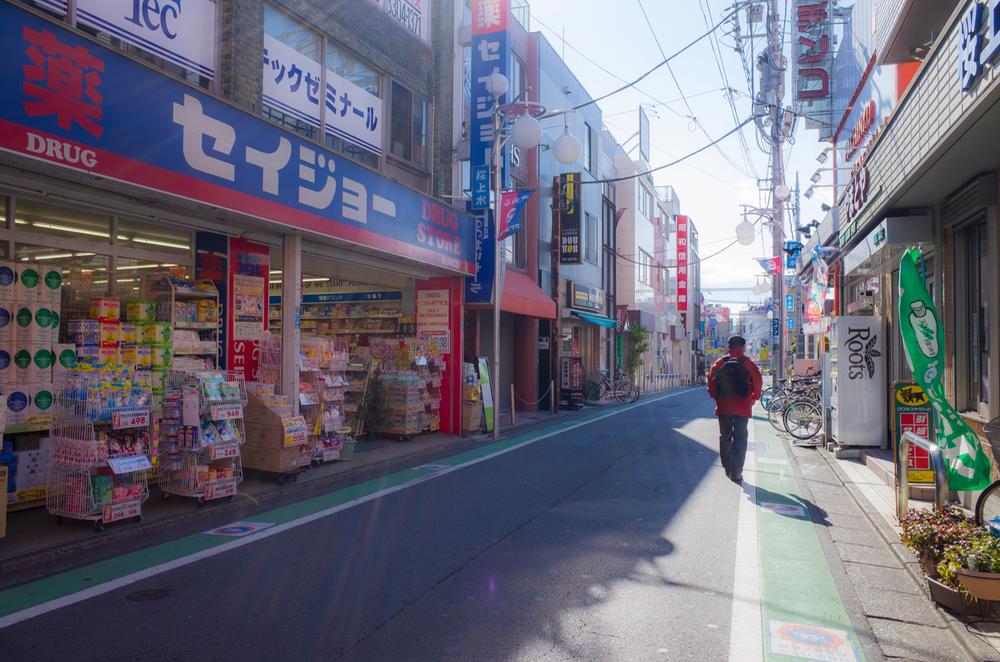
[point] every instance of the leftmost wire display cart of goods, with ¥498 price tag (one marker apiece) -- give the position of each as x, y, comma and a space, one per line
102, 438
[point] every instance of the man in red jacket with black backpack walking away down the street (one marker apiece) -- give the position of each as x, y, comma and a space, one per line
735, 383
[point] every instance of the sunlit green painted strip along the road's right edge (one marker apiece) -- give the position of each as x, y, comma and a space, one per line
803, 615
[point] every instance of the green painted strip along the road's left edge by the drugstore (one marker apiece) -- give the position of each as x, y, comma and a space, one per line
88, 580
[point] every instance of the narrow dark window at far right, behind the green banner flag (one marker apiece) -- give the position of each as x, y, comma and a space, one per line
974, 241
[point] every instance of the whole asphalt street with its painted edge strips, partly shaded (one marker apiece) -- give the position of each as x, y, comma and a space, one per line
613, 538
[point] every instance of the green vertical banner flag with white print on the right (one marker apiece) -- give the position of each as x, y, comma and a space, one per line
923, 341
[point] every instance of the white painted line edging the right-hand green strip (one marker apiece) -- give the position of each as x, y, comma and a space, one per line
746, 639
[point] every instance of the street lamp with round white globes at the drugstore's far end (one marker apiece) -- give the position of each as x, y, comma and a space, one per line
524, 130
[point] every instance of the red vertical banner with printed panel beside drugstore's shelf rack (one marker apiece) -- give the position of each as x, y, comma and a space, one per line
249, 266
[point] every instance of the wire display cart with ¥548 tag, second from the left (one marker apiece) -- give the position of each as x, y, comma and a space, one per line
201, 432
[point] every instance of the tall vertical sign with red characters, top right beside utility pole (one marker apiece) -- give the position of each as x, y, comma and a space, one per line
812, 63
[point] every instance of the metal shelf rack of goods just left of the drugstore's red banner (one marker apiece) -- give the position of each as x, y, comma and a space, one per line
191, 309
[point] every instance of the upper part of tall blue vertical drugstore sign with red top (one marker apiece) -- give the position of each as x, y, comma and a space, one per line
490, 53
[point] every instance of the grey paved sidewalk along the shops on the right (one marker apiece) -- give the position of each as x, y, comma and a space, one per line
887, 595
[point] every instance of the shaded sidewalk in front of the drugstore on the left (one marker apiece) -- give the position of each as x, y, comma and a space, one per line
34, 540
